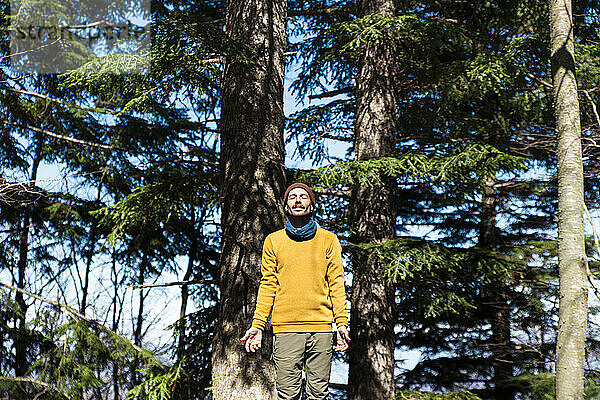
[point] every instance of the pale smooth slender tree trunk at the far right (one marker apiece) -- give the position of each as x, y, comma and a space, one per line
572, 316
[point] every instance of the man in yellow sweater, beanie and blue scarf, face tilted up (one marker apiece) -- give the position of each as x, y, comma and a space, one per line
303, 283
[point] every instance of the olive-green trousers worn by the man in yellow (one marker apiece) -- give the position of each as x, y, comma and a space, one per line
294, 351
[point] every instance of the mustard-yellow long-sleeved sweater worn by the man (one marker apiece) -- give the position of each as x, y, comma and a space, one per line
302, 282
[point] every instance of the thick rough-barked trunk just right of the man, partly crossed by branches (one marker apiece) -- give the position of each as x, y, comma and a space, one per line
371, 363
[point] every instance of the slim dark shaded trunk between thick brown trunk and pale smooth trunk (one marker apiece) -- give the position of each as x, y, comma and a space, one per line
500, 318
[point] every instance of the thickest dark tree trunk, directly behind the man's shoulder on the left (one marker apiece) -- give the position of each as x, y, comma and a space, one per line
252, 173
